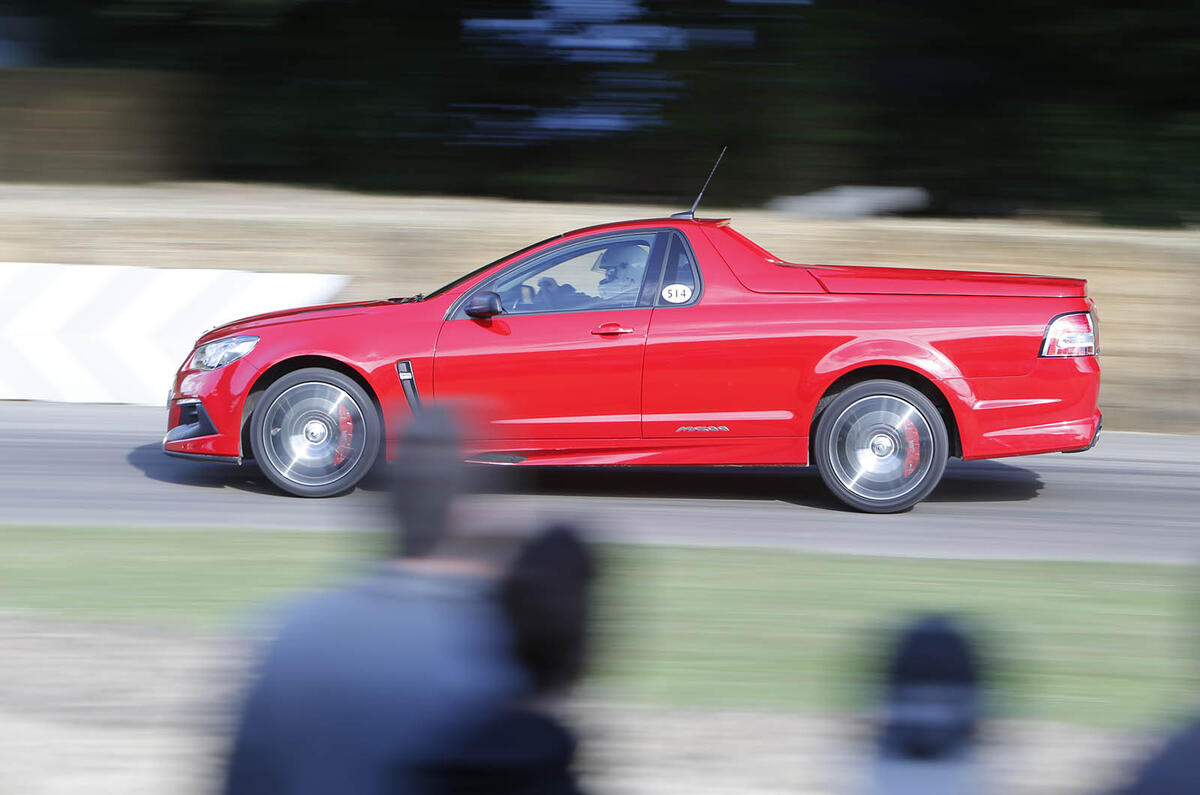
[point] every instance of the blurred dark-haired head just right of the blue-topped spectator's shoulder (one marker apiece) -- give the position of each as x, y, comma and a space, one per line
545, 596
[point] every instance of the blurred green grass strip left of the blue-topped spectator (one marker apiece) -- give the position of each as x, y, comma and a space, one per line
191, 579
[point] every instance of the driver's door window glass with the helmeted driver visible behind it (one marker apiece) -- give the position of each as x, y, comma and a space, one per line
592, 276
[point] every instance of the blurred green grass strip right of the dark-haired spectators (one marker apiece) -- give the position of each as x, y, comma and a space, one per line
1101, 644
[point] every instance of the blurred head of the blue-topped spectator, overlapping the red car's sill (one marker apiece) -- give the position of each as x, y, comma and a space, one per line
427, 480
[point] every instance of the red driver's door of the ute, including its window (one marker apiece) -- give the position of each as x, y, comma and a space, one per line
565, 358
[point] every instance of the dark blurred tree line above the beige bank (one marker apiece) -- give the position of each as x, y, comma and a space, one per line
1065, 110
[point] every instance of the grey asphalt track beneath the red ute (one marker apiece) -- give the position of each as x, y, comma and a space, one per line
1135, 498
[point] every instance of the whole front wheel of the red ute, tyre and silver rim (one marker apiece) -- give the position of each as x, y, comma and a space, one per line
316, 433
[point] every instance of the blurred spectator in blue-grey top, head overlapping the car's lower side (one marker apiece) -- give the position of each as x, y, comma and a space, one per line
367, 684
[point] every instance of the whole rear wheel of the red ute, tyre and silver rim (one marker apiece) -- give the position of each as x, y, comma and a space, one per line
881, 447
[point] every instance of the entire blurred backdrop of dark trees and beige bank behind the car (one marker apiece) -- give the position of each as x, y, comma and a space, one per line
403, 145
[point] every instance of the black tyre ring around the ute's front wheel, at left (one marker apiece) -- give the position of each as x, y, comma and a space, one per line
370, 416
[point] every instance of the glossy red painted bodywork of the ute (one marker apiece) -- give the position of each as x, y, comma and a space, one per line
752, 358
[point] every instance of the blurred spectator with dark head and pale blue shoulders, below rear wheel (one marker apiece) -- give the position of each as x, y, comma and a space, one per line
933, 703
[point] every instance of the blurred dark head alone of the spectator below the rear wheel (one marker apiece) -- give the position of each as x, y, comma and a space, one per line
933, 691
